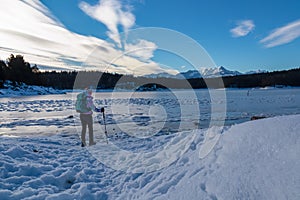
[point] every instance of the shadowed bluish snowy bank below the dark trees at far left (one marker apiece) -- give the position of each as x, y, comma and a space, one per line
22, 89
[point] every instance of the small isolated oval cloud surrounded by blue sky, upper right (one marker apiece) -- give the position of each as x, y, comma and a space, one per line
242, 28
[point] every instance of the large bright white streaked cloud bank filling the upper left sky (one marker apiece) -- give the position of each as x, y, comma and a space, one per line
43, 40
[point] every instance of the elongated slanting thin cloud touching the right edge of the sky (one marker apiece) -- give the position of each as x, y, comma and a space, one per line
282, 35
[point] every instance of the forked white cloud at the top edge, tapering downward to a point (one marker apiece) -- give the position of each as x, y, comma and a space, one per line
111, 13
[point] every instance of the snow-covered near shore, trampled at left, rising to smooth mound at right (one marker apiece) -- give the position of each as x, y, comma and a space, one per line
253, 160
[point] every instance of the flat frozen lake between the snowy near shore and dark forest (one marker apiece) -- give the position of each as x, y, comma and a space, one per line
147, 113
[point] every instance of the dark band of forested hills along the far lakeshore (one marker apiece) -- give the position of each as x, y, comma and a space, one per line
16, 69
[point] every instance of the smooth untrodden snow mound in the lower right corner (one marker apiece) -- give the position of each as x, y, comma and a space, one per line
258, 160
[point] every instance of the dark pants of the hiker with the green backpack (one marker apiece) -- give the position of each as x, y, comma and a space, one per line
87, 121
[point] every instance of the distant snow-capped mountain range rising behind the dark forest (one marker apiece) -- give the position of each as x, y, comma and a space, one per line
202, 72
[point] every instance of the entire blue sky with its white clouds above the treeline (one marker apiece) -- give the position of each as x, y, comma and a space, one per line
239, 35
